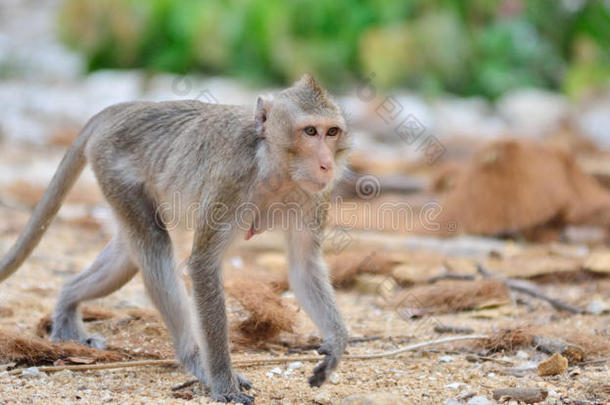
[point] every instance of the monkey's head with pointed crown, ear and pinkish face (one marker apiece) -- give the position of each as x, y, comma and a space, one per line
306, 131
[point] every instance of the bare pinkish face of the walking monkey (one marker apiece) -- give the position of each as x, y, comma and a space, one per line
316, 142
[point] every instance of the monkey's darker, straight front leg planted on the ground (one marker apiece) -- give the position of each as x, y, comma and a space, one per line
206, 275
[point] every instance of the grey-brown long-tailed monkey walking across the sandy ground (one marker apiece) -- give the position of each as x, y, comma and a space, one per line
222, 158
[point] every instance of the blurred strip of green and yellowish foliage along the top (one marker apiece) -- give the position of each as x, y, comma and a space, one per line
476, 47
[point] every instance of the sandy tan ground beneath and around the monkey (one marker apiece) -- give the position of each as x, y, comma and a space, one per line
428, 376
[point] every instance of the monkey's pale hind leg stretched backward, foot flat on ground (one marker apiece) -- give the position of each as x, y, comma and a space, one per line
109, 272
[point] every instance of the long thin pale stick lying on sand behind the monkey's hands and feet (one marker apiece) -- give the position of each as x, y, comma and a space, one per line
254, 362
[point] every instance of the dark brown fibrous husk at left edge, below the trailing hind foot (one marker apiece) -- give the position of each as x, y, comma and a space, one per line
32, 350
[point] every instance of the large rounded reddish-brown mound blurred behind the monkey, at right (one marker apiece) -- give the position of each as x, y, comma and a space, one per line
511, 186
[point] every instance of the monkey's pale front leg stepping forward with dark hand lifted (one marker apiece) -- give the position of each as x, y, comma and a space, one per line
310, 282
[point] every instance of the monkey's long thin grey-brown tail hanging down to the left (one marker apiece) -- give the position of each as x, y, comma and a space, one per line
64, 178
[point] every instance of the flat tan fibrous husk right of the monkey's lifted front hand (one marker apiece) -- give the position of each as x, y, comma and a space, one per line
451, 296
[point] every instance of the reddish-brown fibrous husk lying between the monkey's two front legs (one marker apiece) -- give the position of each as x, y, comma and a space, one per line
268, 314
